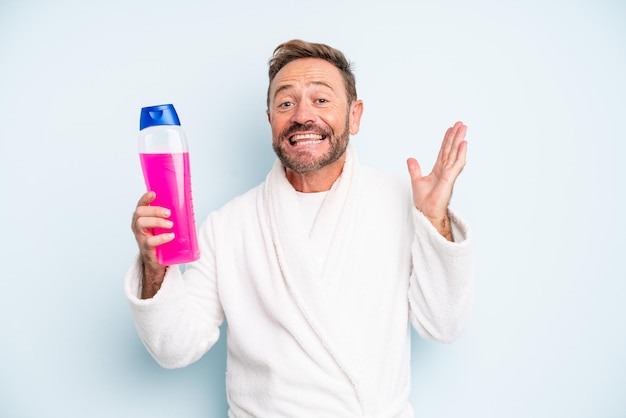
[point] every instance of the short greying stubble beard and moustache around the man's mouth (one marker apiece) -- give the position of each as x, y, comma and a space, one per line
303, 161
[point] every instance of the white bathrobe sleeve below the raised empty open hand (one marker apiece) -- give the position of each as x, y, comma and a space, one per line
441, 288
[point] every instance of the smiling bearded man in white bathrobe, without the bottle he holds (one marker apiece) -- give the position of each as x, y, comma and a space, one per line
320, 269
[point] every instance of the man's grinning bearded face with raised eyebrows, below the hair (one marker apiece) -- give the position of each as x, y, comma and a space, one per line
309, 114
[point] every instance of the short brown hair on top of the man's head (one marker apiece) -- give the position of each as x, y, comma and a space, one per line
296, 49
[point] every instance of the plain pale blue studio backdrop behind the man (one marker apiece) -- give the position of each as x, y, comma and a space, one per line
540, 85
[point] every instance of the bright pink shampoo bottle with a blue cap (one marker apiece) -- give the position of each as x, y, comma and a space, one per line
164, 159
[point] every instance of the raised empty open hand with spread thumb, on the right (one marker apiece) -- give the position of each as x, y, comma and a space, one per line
432, 193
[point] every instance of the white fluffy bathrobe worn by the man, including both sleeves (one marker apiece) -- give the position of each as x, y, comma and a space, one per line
317, 321
